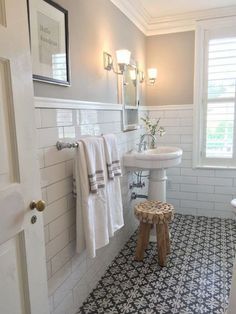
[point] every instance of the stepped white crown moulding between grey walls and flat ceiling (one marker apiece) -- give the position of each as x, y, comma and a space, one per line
169, 24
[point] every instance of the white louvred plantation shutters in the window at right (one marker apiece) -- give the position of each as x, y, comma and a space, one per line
219, 97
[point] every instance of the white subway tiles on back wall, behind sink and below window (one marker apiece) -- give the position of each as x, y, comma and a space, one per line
205, 192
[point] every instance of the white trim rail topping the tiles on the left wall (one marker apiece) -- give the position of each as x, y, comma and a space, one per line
55, 103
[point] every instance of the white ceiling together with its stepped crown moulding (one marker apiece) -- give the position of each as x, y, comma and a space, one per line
154, 17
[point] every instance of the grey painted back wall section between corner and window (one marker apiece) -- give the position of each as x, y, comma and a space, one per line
173, 56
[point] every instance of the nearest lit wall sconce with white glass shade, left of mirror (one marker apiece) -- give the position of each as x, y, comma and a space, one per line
122, 57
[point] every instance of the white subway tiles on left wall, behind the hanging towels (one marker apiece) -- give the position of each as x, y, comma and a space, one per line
71, 277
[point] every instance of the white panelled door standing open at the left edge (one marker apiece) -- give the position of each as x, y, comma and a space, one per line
23, 285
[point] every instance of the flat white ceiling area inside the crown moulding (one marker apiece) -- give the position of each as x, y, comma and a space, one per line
162, 8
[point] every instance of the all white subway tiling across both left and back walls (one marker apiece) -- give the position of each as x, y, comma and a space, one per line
71, 277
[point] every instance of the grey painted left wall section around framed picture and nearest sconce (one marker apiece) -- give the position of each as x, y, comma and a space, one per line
95, 26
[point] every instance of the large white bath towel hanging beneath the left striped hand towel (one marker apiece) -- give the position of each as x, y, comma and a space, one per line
91, 208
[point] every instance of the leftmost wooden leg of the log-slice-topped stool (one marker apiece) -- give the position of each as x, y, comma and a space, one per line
143, 239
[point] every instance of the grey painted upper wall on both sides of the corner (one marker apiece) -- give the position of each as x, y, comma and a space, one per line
96, 26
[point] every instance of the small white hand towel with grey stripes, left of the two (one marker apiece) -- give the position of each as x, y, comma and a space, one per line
94, 152
